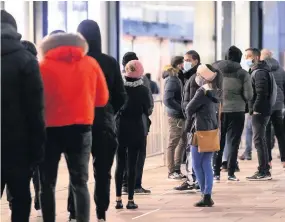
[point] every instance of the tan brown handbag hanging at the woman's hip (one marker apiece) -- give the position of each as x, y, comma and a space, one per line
208, 141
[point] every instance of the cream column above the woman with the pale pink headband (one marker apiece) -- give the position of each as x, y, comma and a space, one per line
204, 30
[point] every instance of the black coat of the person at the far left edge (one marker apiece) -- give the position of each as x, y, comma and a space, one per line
23, 127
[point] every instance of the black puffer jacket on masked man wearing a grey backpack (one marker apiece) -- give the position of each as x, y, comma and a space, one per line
260, 102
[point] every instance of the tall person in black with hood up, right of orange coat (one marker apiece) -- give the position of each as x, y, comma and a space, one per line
104, 144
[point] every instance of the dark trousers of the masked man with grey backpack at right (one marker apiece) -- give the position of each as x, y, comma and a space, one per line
259, 124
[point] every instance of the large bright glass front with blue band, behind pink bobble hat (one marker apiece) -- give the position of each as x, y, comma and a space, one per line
156, 31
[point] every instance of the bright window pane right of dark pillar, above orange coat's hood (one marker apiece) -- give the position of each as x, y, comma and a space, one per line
57, 13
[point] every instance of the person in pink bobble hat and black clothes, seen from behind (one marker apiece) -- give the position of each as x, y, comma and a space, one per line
131, 130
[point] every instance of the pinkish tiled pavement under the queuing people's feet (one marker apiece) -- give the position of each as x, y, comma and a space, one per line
236, 201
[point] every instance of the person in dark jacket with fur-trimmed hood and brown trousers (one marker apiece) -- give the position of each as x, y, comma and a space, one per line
172, 100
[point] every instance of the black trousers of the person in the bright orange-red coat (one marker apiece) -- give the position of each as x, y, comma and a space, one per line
75, 142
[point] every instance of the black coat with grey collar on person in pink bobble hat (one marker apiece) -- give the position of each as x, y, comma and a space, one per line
131, 124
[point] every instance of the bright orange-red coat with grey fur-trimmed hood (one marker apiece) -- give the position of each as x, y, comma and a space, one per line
73, 83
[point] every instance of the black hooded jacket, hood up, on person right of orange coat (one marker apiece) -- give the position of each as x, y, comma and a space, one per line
104, 118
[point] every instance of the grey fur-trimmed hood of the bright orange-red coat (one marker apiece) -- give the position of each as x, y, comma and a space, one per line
64, 46
